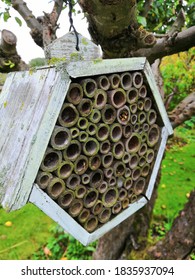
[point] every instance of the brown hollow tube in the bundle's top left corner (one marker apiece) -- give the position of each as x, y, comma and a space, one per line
75, 93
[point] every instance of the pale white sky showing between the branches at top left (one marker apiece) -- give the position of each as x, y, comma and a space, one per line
26, 47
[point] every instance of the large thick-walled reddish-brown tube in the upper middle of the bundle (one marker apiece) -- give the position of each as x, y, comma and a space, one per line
117, 97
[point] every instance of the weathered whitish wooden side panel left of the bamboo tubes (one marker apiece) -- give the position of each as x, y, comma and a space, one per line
29, 107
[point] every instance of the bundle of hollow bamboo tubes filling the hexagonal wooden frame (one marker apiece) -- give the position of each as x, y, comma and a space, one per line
103, 147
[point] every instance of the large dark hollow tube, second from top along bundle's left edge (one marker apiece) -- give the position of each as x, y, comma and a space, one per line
68, 116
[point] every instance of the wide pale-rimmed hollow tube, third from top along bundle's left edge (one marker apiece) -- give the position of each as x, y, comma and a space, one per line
60, 138
